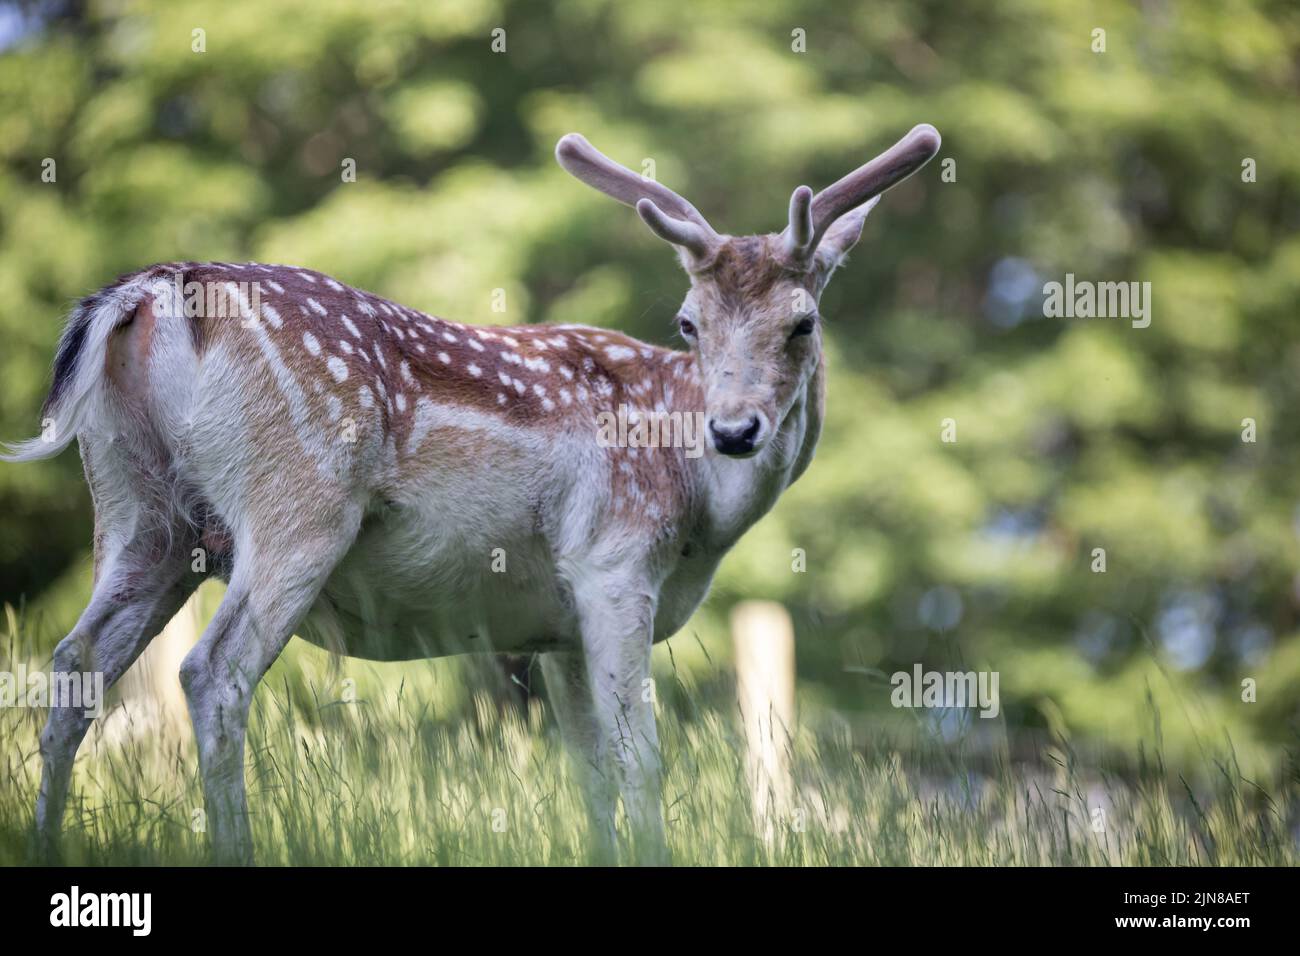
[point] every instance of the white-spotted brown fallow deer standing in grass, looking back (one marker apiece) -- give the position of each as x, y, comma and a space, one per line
353, 470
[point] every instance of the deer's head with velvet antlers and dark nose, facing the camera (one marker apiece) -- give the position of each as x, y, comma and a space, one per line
752, 313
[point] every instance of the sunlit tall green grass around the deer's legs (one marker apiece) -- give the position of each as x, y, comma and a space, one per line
400, 776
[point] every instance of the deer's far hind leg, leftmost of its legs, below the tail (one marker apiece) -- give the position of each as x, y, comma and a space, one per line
132, 603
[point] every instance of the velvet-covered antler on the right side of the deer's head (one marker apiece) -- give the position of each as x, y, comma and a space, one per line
812, 217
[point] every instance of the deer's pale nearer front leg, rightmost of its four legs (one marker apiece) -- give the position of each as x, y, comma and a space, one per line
617, 626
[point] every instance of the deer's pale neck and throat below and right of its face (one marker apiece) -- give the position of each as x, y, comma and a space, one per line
738, 492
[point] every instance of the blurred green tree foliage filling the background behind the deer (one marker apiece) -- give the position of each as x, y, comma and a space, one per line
1073, 435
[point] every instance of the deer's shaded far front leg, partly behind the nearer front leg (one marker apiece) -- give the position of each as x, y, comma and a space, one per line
570, 695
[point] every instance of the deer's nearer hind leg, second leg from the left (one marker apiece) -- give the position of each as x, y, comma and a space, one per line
278, 578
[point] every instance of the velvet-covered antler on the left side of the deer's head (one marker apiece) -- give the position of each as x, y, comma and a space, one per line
669, 215
